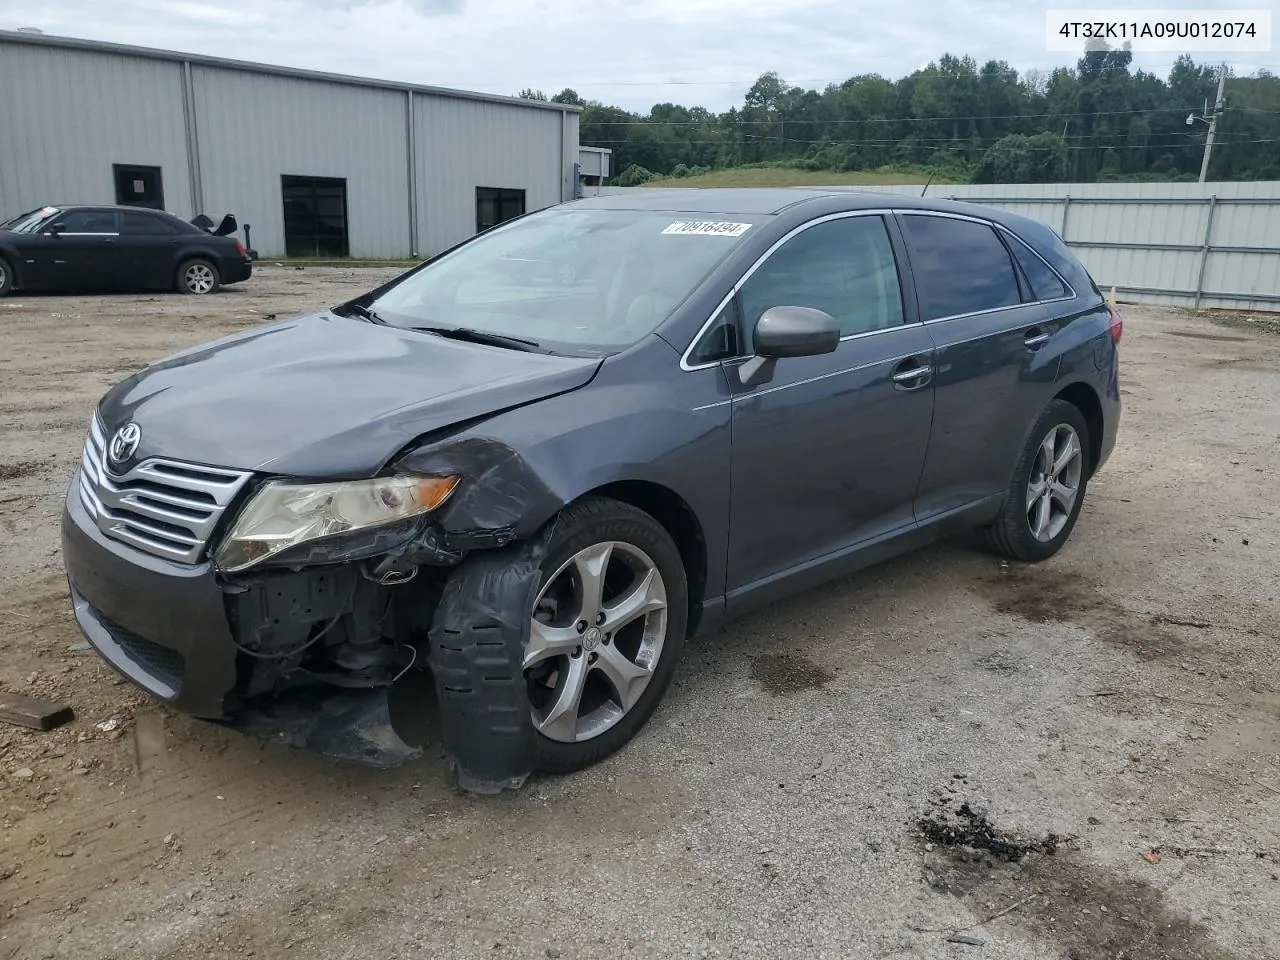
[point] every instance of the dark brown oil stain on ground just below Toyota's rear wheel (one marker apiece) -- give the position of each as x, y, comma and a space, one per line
1060, 597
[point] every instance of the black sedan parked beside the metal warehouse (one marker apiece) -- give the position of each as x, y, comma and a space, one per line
76, 249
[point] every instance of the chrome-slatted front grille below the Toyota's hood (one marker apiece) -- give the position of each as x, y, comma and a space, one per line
164, 508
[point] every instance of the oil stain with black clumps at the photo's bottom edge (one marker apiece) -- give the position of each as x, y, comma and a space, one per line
1044, 886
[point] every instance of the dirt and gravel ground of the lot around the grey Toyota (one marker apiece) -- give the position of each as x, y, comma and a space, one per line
1108, 723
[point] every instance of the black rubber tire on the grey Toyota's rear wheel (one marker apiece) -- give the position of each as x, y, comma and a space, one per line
1012, 536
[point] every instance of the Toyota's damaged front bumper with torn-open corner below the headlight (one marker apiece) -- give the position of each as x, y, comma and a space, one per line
189, 641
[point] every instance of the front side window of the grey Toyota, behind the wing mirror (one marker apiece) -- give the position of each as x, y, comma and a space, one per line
842, 267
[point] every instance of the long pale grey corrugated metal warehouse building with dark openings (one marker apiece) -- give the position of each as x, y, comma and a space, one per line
317, 164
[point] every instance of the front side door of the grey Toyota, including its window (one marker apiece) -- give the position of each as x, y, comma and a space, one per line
829, 454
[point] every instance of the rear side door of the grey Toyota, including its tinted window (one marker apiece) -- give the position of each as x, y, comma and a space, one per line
993, 373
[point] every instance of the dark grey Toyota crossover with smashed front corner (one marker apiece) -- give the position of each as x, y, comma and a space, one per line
537, 488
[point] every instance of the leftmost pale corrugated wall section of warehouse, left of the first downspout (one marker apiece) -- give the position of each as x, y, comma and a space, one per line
67, 116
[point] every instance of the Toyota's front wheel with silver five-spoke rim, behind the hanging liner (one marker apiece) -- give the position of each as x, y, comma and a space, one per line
606, 634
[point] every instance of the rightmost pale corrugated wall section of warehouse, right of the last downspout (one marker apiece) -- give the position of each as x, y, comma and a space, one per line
458, 152
